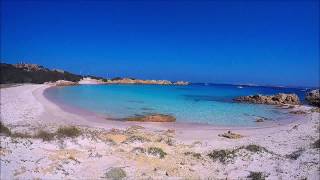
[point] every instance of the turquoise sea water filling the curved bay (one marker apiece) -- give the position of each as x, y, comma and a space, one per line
196, 103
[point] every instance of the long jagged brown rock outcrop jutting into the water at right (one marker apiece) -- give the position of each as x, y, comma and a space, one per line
277, 99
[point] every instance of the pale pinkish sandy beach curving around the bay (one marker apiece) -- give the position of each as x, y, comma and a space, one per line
285, 151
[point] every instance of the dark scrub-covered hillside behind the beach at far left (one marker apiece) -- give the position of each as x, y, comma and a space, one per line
32, 73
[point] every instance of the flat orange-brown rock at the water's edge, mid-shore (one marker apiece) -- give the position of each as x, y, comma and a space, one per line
152, 118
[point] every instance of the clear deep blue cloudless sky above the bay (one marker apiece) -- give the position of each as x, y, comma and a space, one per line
262, 42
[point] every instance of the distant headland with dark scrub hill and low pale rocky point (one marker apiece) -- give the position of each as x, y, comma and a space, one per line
33, 73
